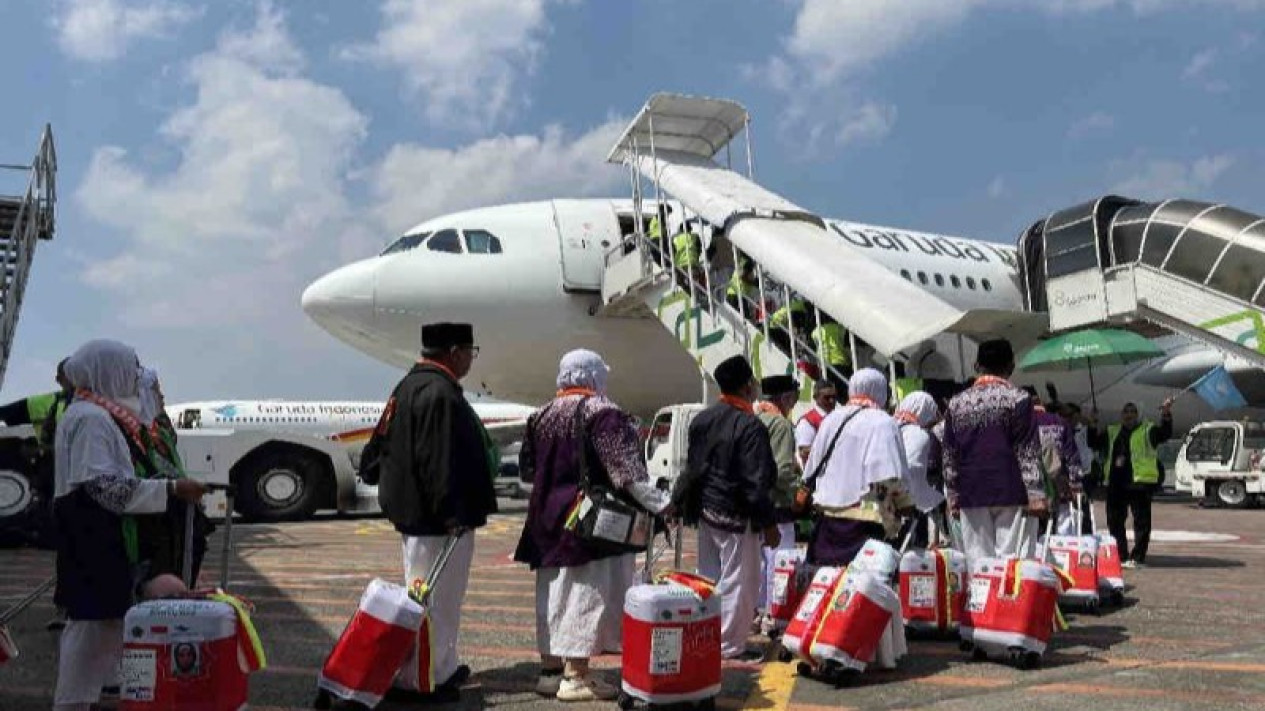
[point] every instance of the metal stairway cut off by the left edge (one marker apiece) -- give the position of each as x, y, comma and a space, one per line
26, 219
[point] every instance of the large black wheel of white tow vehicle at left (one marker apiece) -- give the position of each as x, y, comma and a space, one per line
280, 486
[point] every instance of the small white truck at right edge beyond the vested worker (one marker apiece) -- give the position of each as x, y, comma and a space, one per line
1223, 461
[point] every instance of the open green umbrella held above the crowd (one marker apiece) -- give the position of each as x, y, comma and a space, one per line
1085, 350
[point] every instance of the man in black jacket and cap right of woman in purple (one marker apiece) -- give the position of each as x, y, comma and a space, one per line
727, 492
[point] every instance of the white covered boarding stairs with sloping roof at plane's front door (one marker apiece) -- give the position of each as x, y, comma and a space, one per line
681, 147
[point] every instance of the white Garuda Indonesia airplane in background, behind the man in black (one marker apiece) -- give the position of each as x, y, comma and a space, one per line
349, 423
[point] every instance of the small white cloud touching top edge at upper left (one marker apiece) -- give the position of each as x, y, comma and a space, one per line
98, 31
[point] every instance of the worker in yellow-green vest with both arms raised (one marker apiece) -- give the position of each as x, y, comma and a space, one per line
1134, 473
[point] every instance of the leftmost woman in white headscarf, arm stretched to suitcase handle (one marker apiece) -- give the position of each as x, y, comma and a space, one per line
97, 499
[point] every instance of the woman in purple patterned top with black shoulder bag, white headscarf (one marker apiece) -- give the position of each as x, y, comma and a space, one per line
580, 591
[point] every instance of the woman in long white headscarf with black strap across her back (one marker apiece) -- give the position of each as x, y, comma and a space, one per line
857, 470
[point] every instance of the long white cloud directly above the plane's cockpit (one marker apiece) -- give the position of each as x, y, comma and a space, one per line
416, 183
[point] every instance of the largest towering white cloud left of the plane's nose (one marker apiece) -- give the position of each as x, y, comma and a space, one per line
259, 187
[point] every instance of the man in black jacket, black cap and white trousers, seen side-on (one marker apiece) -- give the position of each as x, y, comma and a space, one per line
436, 481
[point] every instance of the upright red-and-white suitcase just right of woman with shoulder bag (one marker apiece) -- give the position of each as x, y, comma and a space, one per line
672, 643
